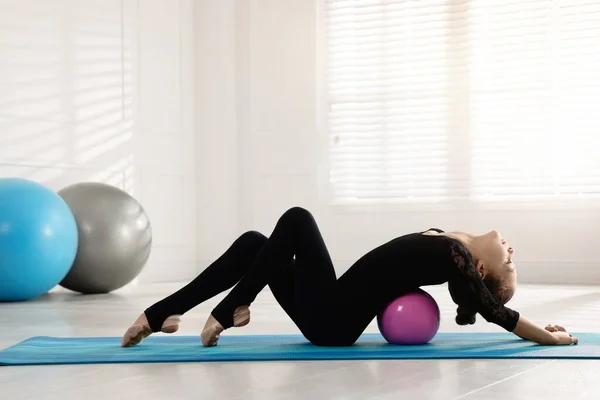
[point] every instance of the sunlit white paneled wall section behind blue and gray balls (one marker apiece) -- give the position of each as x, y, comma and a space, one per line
102, 90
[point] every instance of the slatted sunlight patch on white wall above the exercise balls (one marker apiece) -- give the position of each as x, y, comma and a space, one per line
66, 95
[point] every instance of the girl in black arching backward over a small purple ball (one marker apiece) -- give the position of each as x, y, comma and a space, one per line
296, 265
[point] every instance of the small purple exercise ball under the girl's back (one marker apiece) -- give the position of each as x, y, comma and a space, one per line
413, 318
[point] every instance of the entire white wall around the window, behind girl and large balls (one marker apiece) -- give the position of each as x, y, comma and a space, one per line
207, 112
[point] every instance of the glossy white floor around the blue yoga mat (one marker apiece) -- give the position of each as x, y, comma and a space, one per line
65, 314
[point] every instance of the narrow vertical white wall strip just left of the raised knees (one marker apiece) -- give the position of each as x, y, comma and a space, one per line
216, 127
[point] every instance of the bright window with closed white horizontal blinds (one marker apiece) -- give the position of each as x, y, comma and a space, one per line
432, 100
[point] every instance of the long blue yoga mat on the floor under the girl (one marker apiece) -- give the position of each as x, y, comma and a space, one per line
162, 349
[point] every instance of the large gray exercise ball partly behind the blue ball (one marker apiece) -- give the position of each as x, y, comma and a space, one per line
115, 238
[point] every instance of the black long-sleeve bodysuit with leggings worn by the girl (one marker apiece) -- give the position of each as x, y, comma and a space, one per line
296, 265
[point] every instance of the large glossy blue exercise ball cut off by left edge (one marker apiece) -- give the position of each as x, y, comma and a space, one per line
38, 239
